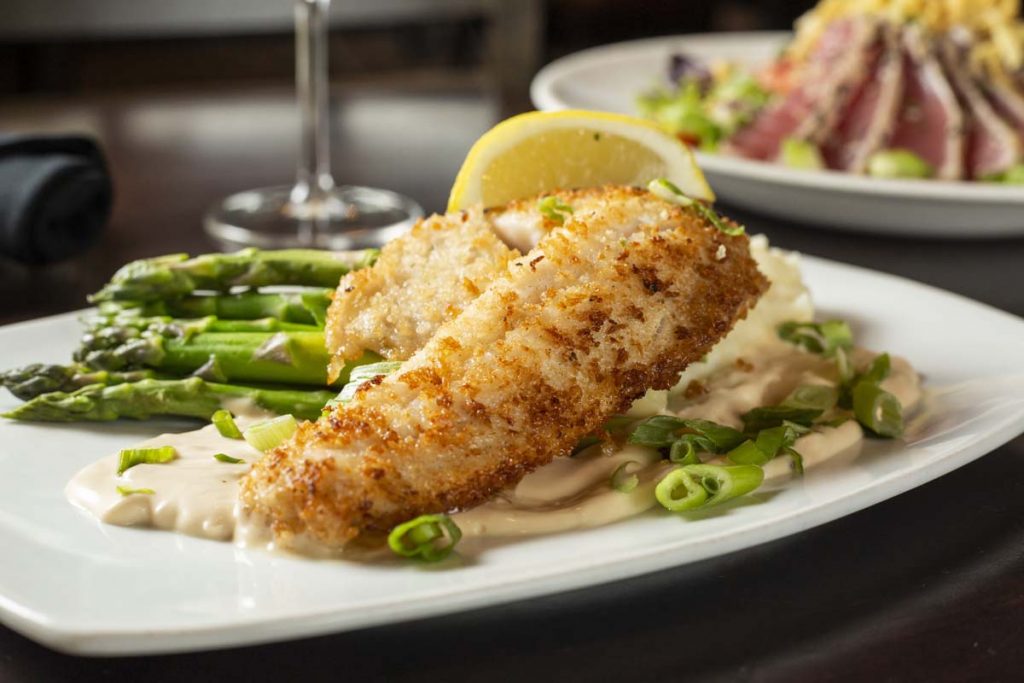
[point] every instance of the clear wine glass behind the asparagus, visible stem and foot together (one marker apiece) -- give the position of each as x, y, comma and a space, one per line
314, 212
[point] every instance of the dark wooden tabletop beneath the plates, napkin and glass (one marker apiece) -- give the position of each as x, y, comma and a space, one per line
926, 587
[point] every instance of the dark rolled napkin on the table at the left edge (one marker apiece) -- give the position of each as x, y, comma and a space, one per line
56, 196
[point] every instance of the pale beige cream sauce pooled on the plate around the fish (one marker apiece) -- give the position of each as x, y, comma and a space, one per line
196, 494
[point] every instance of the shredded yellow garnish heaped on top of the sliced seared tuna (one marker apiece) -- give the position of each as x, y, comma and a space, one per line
995, 25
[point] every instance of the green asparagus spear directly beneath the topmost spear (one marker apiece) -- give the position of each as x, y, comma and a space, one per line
309, 308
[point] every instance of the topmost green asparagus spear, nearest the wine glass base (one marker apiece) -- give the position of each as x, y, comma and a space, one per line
177, 275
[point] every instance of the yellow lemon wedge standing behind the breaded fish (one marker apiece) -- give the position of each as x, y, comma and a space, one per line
542, 151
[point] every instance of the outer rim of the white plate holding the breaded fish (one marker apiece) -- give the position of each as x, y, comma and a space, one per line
234, 632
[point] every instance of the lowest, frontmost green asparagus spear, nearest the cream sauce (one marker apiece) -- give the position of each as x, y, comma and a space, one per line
193, 398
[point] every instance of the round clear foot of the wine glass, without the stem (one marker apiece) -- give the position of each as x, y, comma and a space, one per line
348, 218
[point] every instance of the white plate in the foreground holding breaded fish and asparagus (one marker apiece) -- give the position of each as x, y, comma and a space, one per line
82, 587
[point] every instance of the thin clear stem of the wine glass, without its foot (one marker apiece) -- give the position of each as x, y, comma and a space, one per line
314, 179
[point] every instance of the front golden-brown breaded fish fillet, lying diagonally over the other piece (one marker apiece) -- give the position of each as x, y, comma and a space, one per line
619, 301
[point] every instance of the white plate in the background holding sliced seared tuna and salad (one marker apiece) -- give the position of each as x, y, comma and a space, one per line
610, 78
